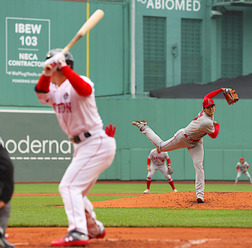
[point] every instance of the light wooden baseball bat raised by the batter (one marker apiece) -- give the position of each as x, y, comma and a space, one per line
88, 25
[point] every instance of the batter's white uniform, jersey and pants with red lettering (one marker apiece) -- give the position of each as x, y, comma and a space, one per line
76, 115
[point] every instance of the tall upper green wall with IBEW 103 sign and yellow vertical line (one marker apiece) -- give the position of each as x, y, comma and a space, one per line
32, 27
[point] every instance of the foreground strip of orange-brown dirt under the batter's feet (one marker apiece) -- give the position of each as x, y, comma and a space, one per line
142, 237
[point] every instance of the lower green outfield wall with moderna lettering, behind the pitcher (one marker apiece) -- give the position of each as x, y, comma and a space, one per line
41, 151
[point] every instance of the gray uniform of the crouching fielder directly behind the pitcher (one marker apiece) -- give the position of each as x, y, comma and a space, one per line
158, 162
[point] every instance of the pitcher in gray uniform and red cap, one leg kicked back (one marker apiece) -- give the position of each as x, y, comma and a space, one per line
191, 138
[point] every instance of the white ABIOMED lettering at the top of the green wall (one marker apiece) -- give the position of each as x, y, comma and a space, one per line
178, 5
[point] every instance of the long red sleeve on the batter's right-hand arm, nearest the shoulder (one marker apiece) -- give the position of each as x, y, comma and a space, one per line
82, 88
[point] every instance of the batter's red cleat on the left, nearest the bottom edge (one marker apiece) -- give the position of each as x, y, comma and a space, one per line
73, 238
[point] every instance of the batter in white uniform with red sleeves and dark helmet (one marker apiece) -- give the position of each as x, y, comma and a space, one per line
73, 100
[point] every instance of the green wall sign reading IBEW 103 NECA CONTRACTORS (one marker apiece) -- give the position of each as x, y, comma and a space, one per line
27, 40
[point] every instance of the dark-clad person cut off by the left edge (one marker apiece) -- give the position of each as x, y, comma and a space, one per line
6, 191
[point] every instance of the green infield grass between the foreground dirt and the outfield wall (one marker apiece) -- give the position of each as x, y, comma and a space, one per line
48, 210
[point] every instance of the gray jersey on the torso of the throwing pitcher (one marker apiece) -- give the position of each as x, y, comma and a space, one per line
200, 126
